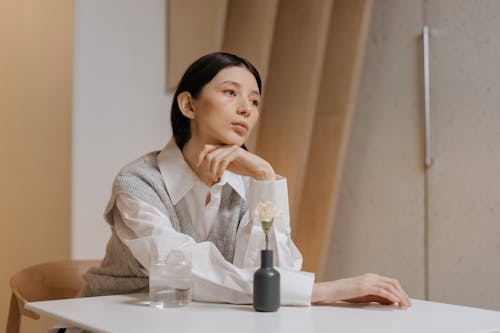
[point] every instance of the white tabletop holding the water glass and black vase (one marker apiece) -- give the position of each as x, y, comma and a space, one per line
131, 313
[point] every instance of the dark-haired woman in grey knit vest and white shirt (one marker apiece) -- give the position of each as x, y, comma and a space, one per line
196, 194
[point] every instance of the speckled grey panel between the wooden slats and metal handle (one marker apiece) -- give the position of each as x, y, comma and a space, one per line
380, 220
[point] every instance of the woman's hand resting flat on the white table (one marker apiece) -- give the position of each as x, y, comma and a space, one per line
365, 288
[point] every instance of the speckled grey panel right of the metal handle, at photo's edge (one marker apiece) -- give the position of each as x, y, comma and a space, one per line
464, 182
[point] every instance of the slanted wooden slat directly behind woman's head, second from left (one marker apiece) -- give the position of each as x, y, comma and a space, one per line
249, 33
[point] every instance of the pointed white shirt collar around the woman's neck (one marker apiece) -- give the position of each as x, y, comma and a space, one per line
179, 178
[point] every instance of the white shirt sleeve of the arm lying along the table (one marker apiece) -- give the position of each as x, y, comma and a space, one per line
149, 235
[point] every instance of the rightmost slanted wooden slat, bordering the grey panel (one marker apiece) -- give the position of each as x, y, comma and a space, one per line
336, 105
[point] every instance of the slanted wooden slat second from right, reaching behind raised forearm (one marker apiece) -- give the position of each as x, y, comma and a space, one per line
293, 81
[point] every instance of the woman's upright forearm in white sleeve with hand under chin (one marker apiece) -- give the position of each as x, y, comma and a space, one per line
264, 186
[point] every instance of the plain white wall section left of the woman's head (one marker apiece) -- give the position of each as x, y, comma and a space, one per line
120, 105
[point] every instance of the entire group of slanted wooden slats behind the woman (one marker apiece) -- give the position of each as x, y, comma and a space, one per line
312, 68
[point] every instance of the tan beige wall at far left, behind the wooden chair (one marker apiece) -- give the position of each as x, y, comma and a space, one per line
35, 138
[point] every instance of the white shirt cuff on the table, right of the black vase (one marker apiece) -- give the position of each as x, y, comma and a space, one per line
296, 287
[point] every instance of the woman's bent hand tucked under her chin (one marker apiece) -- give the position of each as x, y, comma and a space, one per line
218, 158
